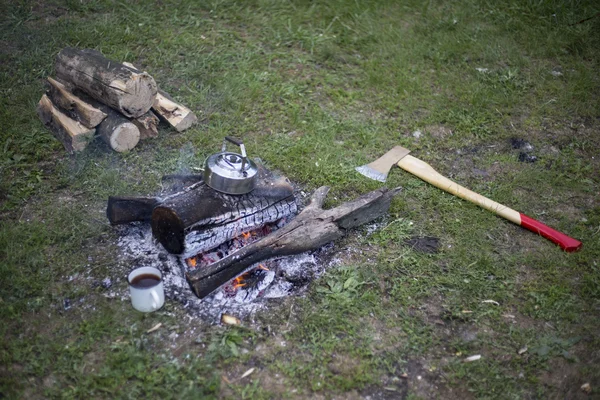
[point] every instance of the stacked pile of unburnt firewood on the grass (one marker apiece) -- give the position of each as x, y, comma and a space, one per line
94, 96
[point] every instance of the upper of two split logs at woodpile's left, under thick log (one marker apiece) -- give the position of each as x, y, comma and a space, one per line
73, 106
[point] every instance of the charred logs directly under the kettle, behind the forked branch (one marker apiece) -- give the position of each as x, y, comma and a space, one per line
194, 218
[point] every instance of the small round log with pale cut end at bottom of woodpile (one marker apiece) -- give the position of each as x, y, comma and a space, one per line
119, 132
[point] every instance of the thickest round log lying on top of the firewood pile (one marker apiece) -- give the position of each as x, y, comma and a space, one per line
127, 90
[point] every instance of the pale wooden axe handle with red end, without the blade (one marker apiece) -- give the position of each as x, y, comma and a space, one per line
424, 171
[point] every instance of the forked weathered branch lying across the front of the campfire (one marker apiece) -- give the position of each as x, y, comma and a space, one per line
311, 229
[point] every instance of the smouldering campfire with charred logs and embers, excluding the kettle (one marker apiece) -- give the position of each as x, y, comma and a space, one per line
236, 246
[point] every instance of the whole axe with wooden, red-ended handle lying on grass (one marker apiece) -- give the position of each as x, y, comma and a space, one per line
379, 169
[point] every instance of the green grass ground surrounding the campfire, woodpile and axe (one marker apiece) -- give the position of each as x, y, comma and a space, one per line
315, 89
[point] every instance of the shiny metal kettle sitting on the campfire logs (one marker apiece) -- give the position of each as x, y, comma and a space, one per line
229, 172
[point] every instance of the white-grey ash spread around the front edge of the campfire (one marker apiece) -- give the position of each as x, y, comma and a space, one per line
286, 276
